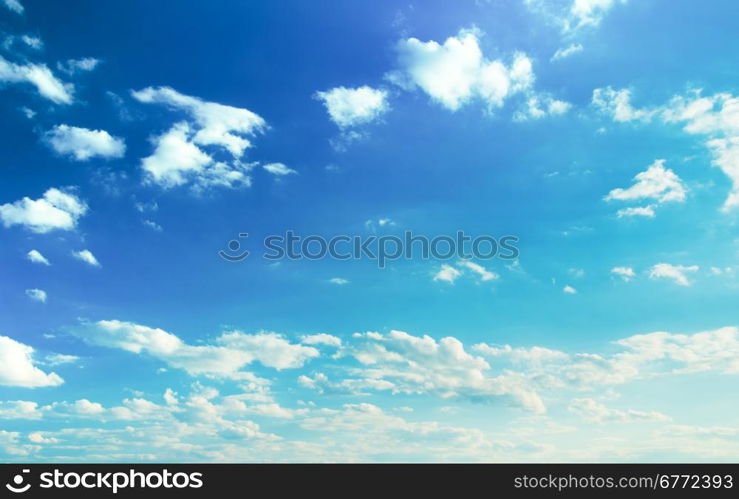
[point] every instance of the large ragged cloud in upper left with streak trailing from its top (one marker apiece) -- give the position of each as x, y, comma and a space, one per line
178, 157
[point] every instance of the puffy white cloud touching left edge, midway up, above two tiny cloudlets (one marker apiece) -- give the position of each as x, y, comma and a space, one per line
56, 210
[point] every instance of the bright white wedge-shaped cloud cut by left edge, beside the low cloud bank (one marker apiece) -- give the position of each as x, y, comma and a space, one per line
17, 366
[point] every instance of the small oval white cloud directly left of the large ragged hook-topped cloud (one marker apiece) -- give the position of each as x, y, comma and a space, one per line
83, 144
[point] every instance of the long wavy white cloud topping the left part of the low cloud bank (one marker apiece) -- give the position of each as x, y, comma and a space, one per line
225, 358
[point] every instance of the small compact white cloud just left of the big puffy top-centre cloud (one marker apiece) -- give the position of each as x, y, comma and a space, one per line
348, 107
